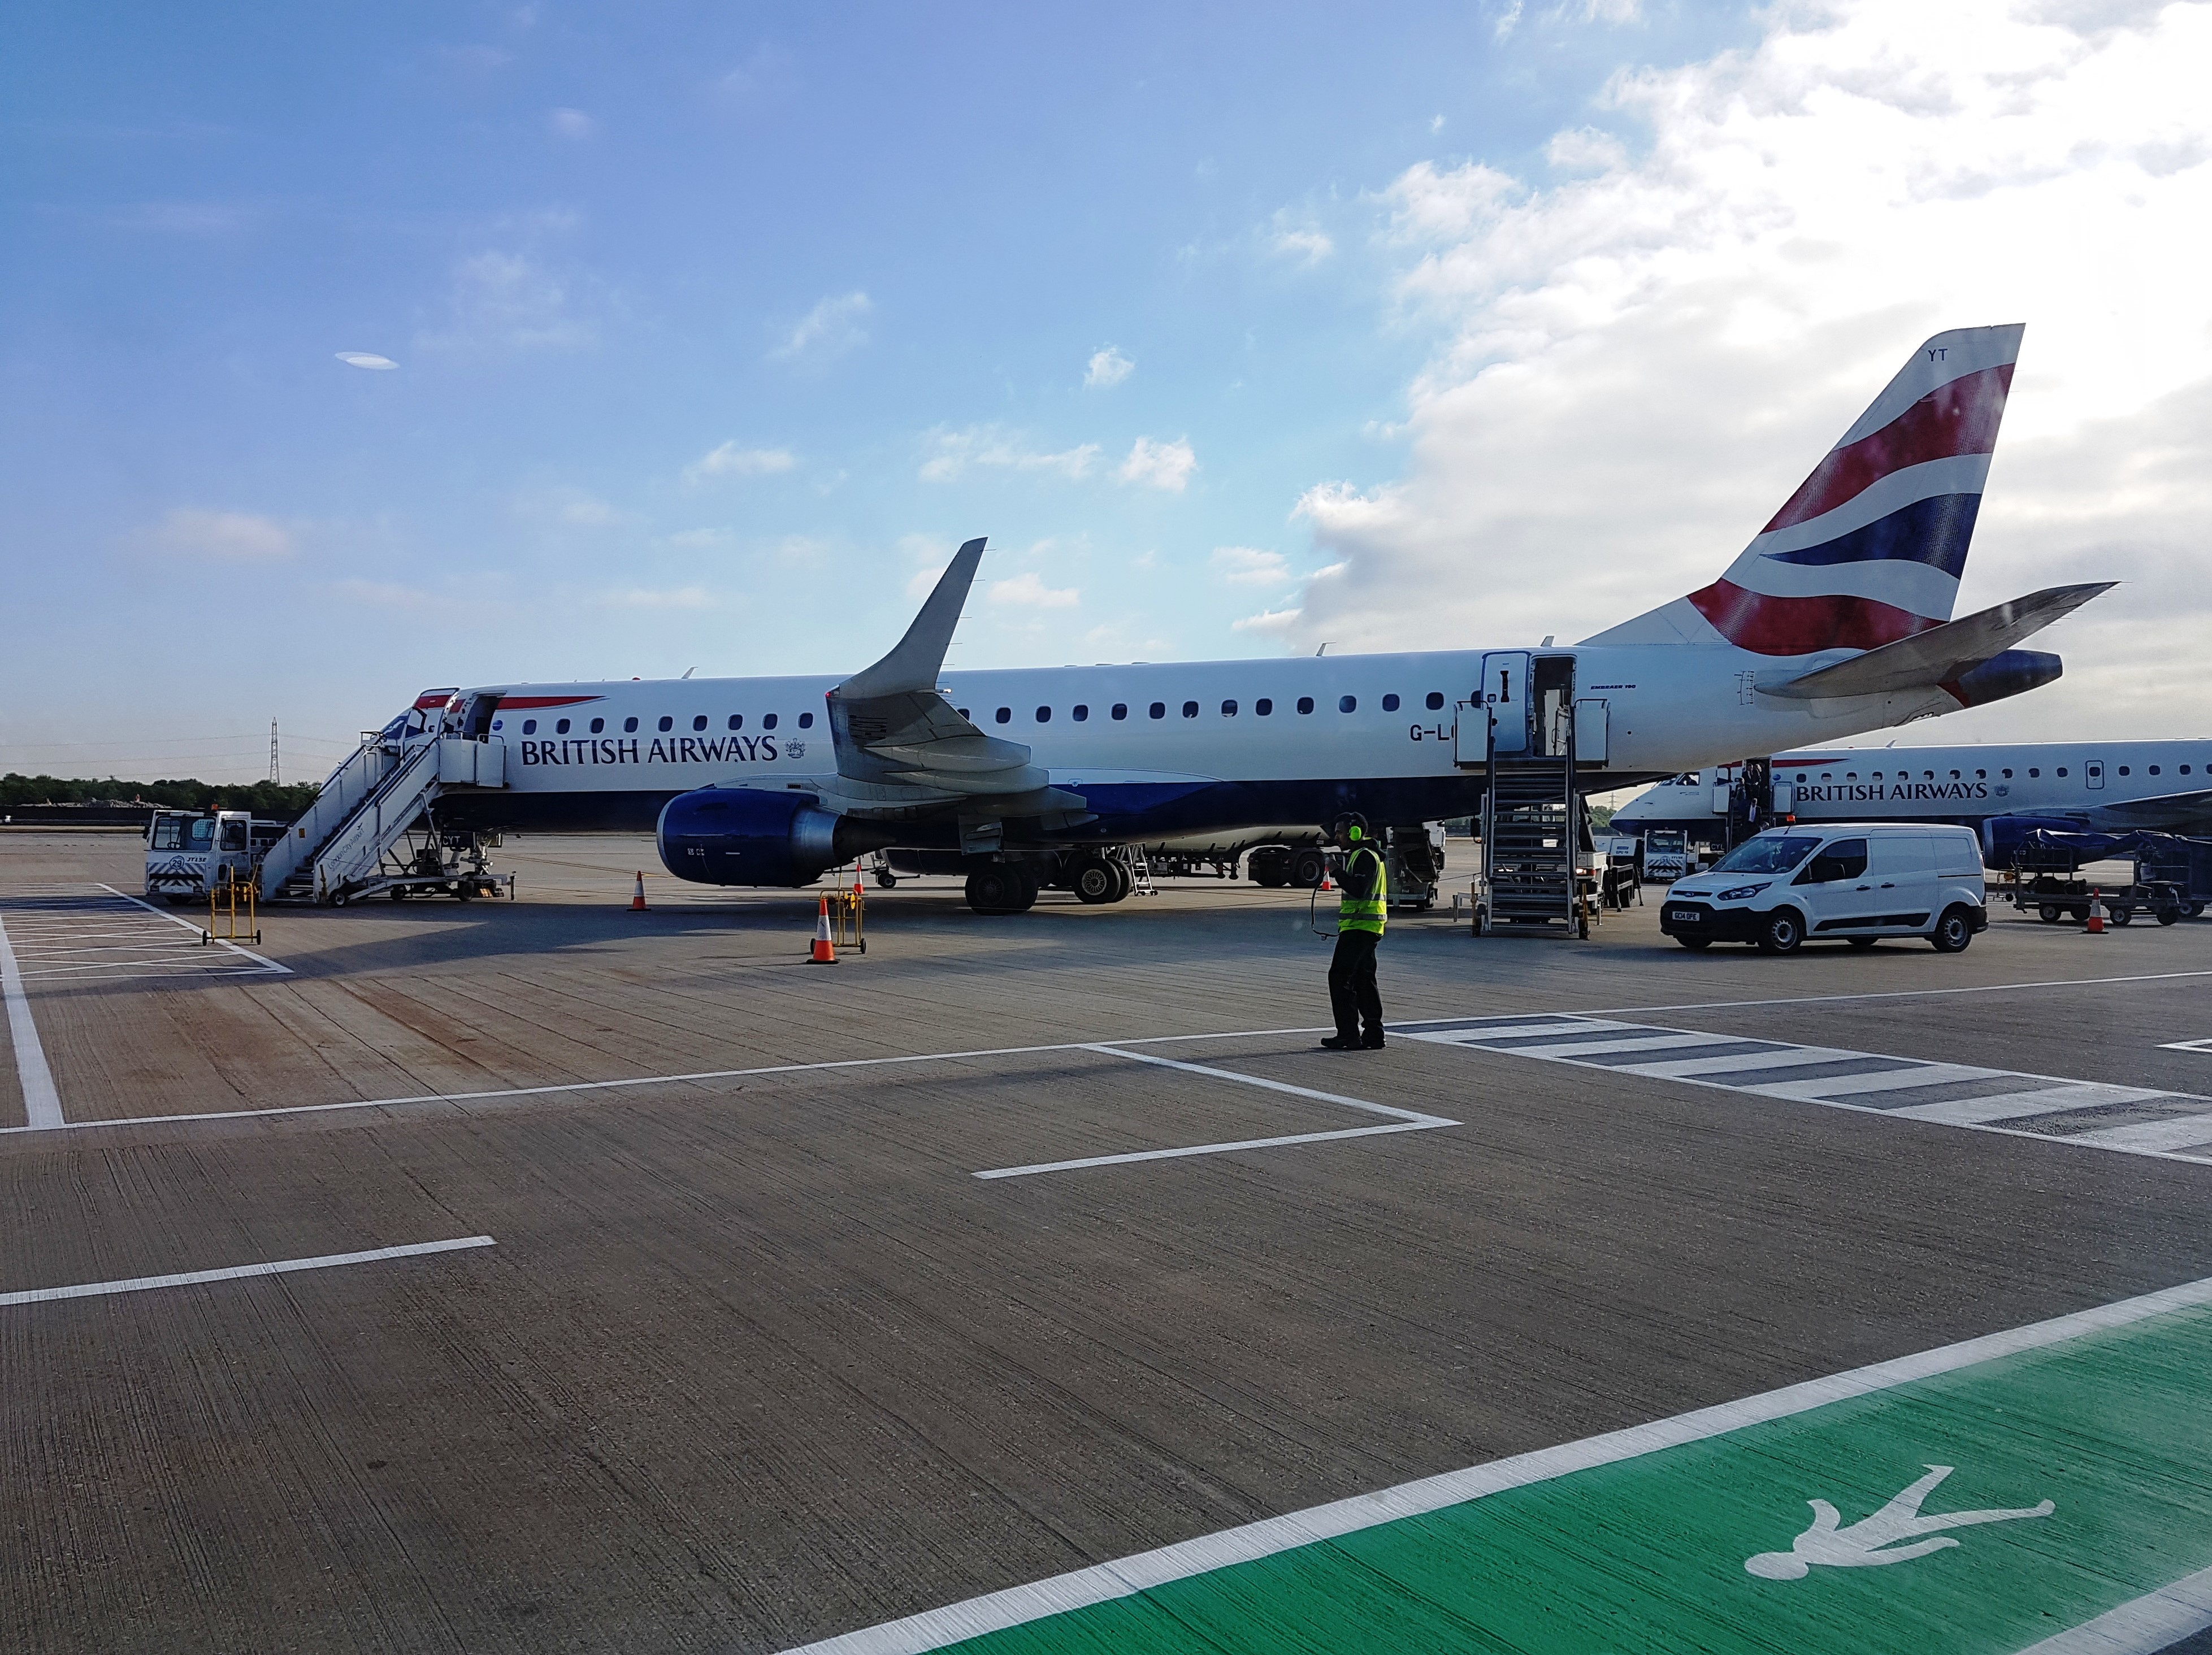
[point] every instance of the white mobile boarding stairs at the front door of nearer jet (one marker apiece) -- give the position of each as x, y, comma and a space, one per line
375, 831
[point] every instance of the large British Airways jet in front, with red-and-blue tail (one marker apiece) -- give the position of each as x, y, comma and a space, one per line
1835, 621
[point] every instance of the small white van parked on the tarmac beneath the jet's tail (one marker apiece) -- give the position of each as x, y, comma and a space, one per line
1855, 882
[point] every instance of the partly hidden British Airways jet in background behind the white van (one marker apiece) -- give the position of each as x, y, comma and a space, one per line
2001, 791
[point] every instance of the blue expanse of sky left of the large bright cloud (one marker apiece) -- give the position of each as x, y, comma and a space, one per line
866, 253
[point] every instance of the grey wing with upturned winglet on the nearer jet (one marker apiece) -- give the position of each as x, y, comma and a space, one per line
895, 729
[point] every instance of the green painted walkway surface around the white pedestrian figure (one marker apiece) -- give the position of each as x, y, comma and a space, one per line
1647, 1554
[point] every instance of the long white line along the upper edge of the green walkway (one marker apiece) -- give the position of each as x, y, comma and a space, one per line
1129, 1576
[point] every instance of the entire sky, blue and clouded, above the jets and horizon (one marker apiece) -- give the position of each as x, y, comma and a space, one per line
1238, 331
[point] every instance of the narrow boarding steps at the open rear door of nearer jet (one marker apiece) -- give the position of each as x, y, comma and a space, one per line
1534, 822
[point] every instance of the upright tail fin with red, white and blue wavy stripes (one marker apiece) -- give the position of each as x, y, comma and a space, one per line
1872, 545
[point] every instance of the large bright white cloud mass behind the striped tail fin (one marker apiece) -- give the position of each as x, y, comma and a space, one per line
1642, 364
